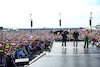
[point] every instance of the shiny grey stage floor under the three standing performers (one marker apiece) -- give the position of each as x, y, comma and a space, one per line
70, 57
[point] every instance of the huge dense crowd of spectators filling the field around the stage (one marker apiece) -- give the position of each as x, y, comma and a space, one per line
14, 43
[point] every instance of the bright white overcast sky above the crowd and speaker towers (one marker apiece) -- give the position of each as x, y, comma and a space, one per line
45, 13
